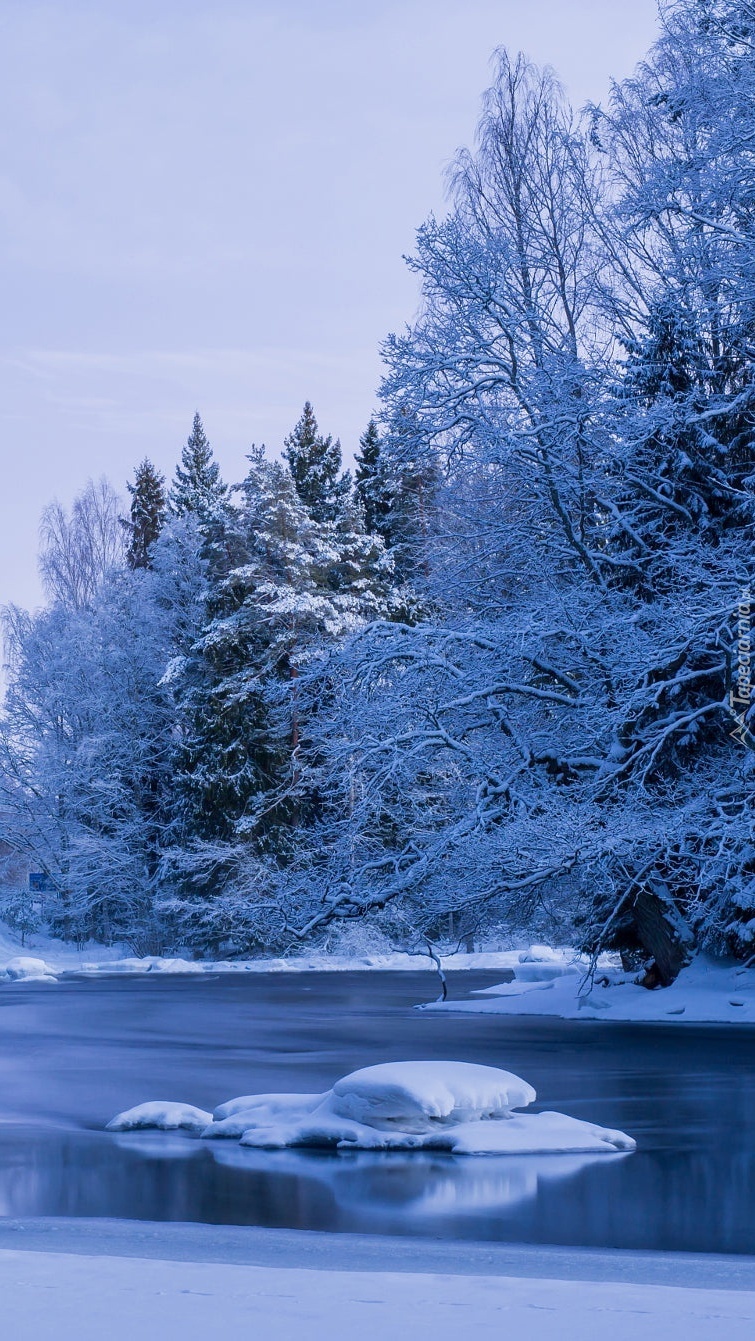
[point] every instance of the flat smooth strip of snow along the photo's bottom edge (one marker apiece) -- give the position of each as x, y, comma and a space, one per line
61, 1297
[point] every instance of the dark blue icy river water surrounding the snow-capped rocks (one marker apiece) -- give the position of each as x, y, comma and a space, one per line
76, 1053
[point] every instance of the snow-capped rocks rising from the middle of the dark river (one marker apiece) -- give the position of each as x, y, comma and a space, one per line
454, 1107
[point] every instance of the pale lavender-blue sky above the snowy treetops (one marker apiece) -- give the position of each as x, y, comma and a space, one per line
207, 206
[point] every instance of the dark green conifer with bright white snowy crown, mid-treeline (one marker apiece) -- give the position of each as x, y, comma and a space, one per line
300, 585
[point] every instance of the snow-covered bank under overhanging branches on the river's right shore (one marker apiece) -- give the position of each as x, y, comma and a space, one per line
705, 993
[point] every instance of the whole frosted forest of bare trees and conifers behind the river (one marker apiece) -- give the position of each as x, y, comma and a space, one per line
500, 675
